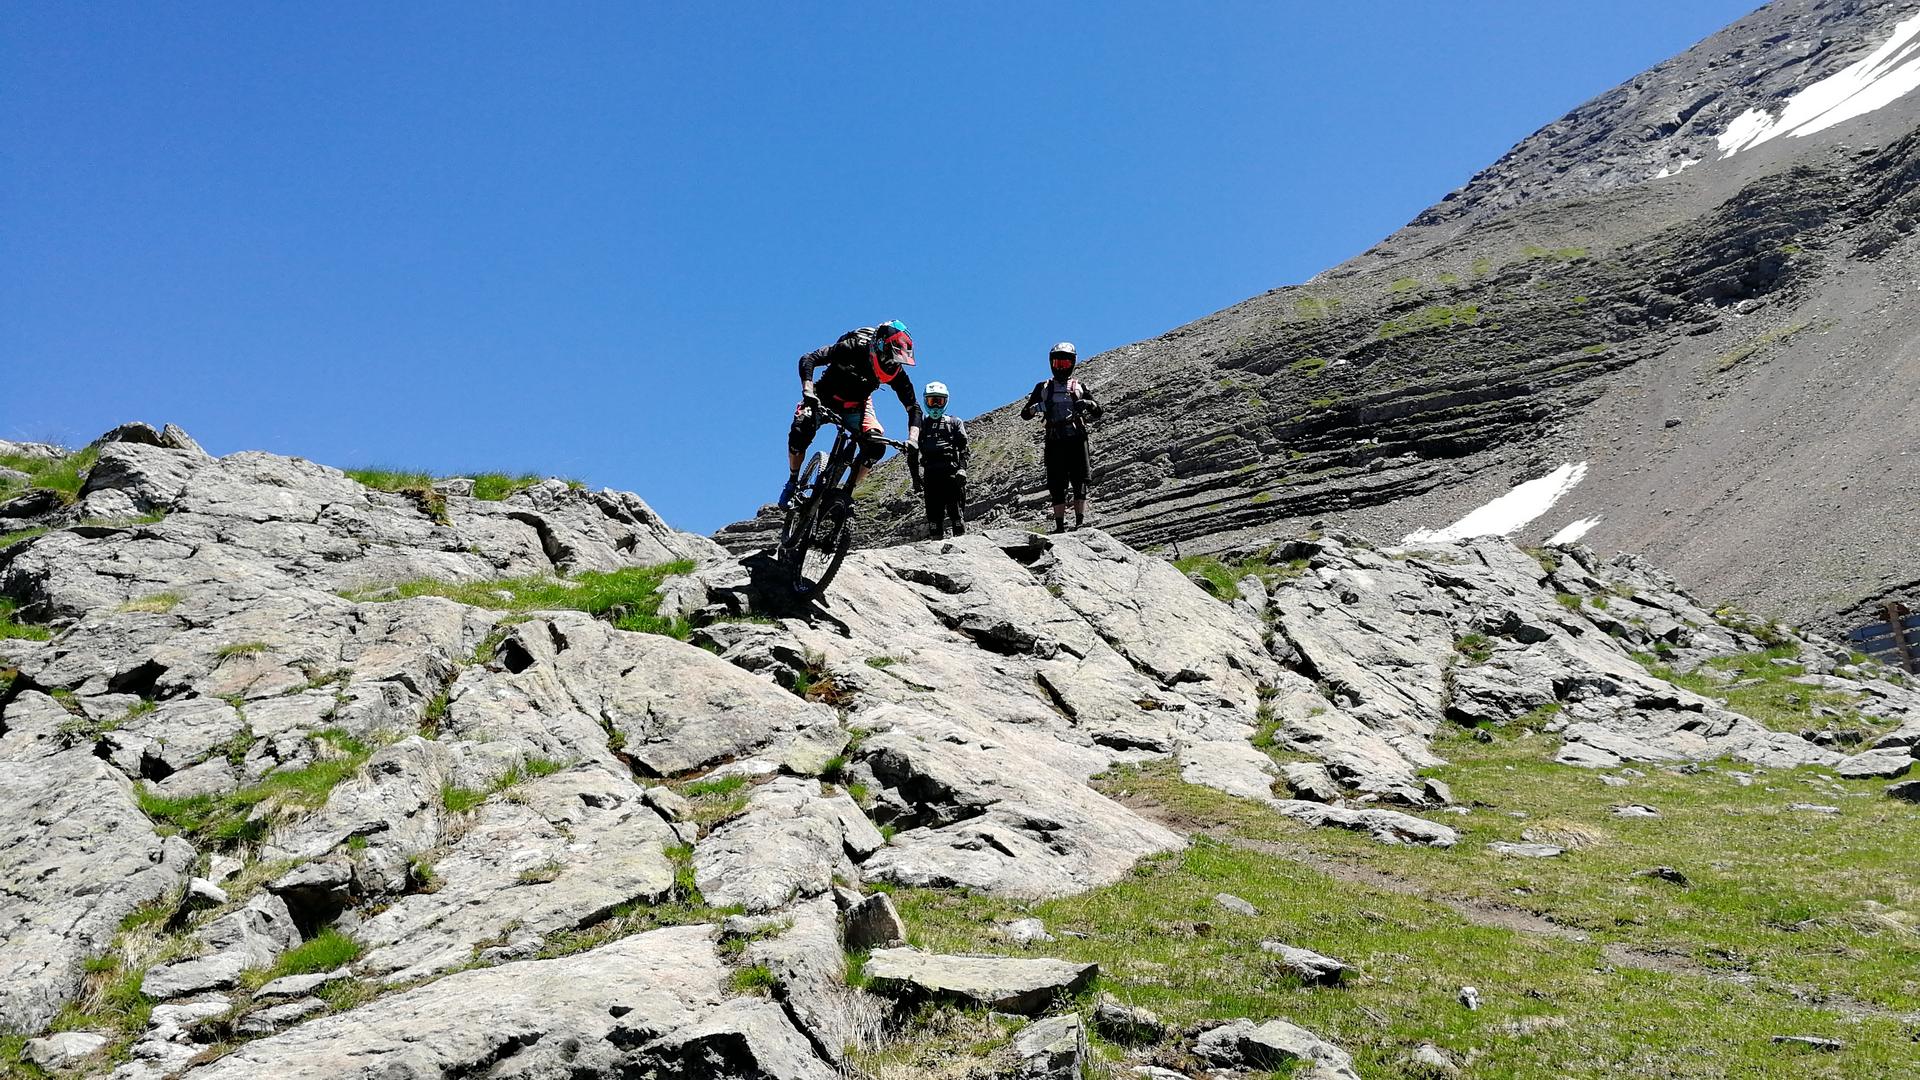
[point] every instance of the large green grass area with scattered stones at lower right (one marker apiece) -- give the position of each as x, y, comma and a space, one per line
1771, 935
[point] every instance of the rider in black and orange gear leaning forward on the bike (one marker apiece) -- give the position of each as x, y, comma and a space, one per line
857, 366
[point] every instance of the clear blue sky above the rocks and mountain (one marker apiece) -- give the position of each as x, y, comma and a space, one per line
592, 239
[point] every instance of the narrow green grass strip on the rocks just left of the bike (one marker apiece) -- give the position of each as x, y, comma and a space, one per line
629, 599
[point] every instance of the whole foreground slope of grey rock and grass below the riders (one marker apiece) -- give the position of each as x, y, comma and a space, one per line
310, 779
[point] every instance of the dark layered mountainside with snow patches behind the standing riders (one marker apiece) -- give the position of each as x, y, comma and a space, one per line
1691, 293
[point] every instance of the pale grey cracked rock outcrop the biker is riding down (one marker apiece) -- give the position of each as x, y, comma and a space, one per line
473, 835
